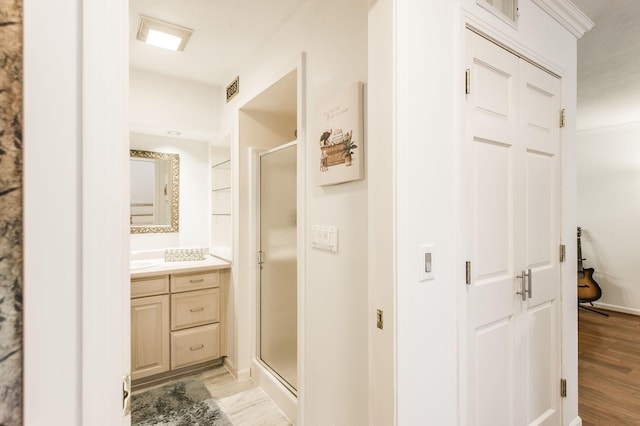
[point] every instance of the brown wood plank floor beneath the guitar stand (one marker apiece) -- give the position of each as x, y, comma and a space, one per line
608, 369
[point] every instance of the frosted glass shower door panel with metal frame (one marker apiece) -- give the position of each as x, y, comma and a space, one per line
277, 345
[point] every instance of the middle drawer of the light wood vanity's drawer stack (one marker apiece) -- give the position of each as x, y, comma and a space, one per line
195, 308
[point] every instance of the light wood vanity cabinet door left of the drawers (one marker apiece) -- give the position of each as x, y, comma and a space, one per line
149, 336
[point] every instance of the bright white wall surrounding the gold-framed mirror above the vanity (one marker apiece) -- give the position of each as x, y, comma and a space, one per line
194, 190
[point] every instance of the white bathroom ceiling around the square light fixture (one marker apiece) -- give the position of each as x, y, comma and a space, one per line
226, 35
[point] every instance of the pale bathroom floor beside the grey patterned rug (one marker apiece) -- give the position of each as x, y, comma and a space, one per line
243, 401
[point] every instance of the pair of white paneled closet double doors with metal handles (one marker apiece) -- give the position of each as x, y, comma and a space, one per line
511, 193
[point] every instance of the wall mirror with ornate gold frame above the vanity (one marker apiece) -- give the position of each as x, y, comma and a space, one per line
154, 203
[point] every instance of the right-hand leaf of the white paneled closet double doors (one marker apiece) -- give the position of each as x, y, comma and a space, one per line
539, 135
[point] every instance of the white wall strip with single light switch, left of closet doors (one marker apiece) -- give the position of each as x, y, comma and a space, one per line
426, 199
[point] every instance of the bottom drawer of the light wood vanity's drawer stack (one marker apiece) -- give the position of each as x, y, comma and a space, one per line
195, 345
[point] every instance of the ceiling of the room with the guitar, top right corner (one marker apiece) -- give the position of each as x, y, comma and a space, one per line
609, 64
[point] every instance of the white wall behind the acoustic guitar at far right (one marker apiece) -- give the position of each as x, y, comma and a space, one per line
608, 210
